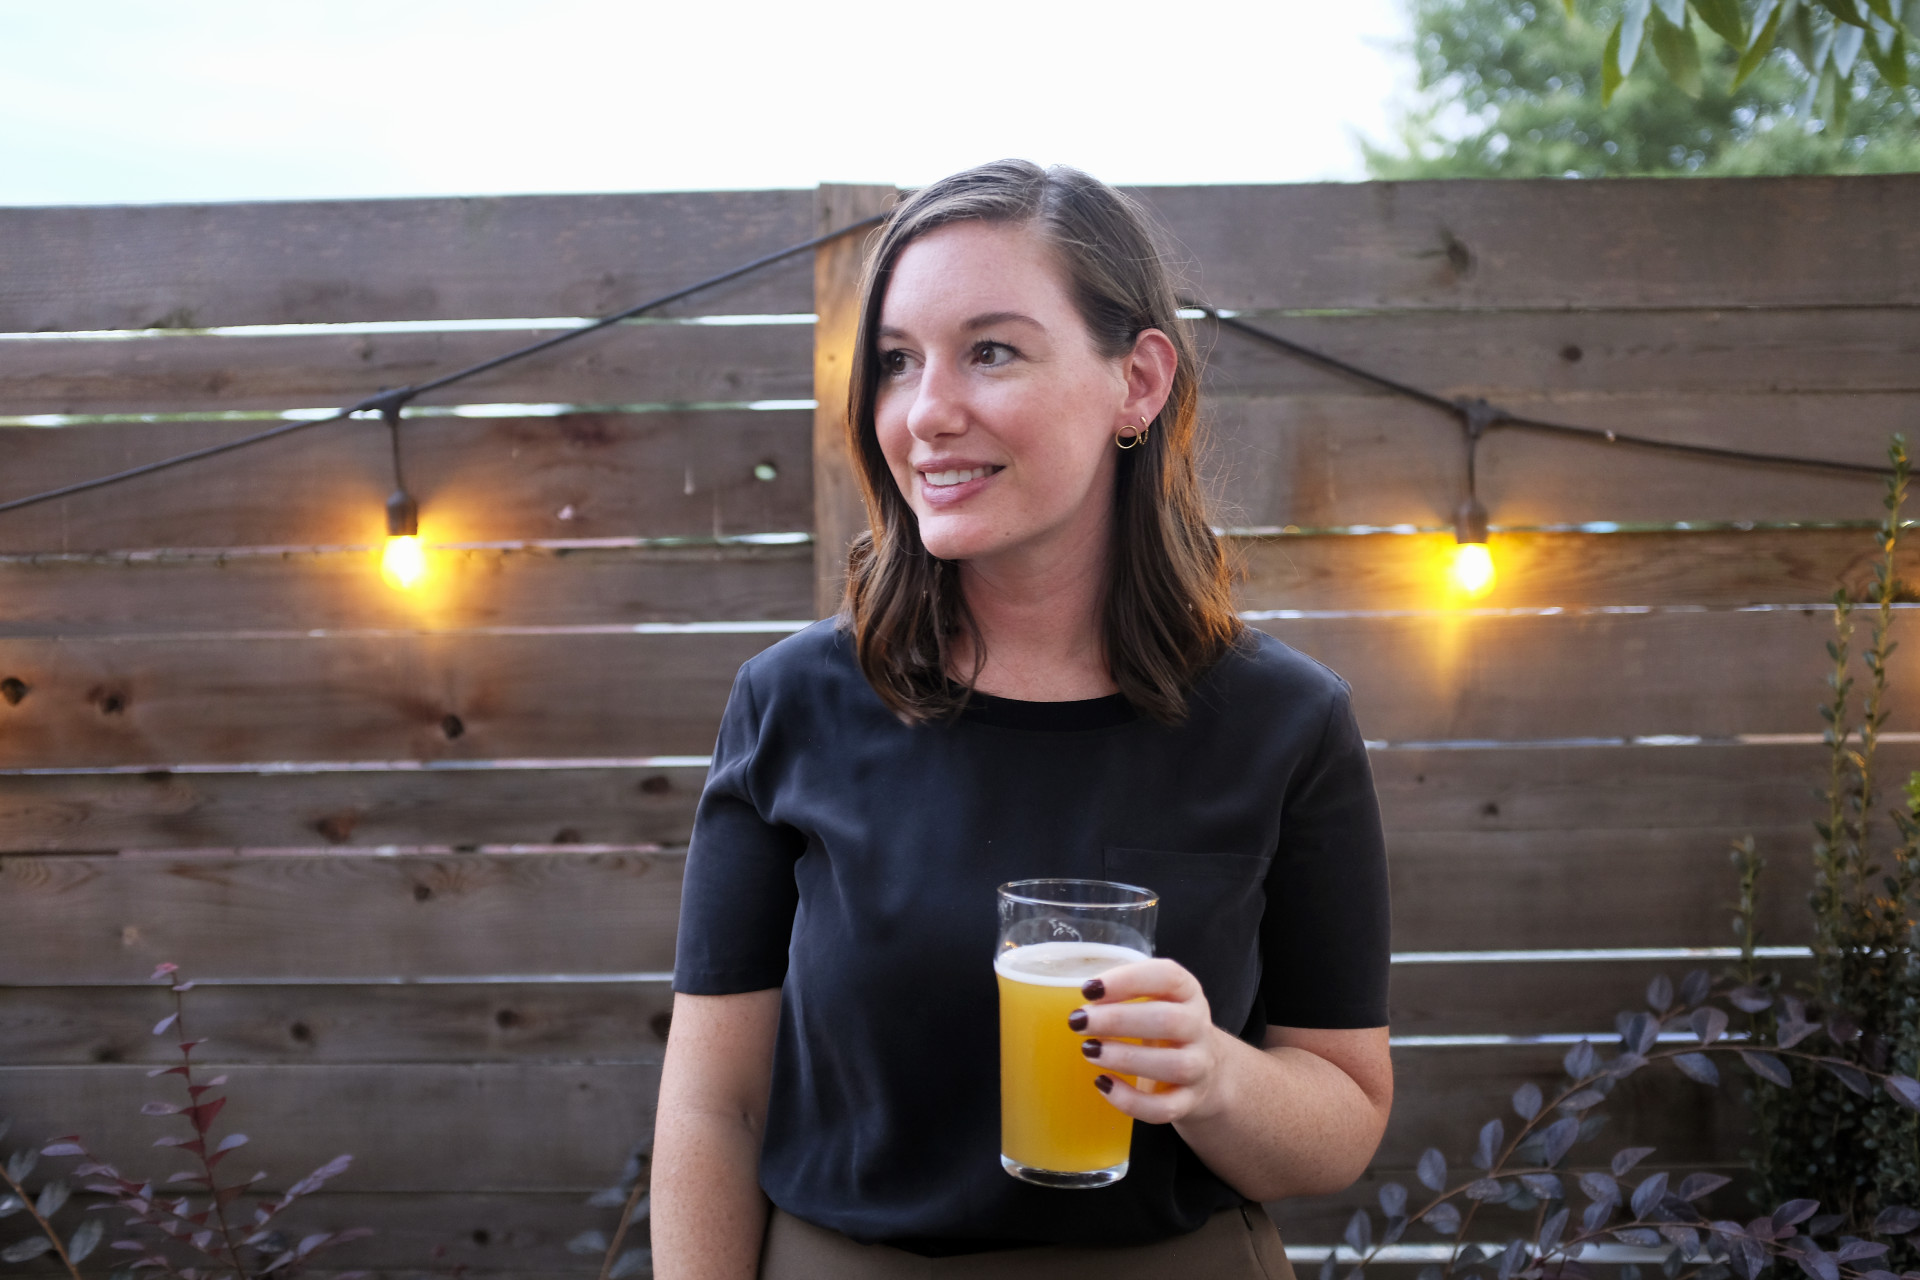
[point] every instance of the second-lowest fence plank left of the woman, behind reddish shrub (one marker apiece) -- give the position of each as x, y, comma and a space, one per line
410, 1127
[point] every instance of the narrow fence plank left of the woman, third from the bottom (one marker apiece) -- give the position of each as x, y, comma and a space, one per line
289, 1024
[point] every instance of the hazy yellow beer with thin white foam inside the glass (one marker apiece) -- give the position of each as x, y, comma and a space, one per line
1051, 1114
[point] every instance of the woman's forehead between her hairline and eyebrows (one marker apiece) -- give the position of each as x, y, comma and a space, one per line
969, 270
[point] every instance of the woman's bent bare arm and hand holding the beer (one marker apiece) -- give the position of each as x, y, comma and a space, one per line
1297, 1118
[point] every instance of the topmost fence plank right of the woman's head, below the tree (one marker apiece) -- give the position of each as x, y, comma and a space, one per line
1550, 245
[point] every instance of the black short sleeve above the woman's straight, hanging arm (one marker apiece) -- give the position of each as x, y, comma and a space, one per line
738, 899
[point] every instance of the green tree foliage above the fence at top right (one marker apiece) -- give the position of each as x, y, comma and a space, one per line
1660, 87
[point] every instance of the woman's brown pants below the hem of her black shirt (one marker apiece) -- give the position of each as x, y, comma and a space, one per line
1234, 1244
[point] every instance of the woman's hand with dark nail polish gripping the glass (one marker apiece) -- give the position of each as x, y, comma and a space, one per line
1182, 1047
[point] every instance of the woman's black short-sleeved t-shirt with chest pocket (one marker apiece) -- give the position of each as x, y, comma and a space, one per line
853, 863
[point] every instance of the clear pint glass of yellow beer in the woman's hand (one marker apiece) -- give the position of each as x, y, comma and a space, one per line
1057, 1129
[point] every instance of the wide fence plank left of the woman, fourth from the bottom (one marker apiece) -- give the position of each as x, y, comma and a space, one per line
110, 920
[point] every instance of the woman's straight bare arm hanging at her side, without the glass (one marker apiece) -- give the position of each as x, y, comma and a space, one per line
709, 1214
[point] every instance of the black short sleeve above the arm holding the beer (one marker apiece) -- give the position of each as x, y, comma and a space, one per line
1326, 928
